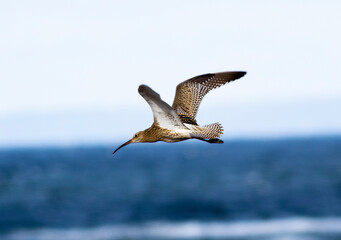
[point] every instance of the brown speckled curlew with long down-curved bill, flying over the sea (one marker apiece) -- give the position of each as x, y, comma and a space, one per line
178, 123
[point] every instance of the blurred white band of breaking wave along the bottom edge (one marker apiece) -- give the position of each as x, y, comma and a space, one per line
296, 228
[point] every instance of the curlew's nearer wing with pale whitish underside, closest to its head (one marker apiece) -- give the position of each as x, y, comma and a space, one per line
164, 114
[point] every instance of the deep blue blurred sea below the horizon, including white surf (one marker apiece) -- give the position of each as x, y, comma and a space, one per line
246, 189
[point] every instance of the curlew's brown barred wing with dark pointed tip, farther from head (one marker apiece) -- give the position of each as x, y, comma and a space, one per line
190, 93
